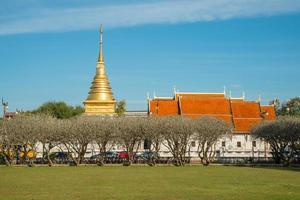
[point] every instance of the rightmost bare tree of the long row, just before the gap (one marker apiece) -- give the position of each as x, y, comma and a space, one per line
208, 130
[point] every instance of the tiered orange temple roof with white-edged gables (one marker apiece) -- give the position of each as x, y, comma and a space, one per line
242, 114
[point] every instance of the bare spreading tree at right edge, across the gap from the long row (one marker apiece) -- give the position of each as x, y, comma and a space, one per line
283, 135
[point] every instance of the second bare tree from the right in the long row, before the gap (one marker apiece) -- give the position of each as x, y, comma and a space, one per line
177, 132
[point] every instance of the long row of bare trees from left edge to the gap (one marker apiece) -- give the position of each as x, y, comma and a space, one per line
24, 133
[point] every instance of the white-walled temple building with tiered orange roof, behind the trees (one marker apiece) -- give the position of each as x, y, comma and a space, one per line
240, 113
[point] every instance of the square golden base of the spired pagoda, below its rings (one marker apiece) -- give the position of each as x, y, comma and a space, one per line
93, 108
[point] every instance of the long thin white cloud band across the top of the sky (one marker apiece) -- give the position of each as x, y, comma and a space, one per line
83, 18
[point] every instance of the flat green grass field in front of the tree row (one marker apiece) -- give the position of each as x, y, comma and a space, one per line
155, 183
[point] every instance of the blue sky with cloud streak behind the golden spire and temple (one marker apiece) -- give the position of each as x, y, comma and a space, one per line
48, 49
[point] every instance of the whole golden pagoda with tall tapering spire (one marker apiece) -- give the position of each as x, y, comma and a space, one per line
100, 100
